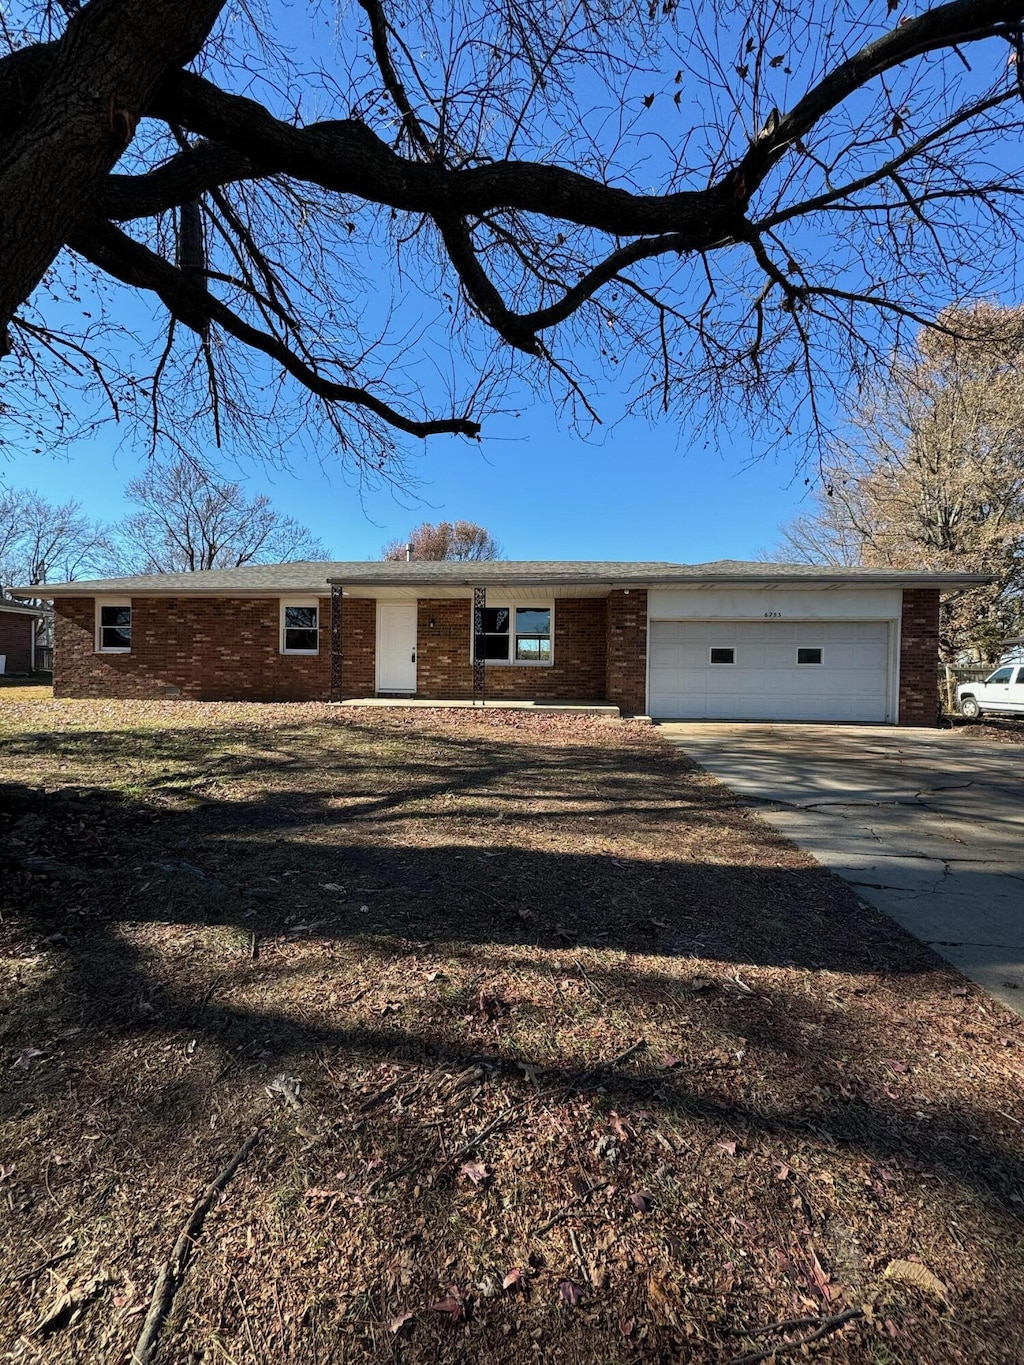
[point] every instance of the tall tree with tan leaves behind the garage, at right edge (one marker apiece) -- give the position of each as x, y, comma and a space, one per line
932, 476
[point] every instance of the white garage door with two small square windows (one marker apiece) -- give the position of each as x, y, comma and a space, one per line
769, 671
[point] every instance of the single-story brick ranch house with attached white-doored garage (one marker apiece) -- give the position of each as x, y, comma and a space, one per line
723, 641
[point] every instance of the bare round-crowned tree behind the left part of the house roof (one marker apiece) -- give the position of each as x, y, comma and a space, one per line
192, 519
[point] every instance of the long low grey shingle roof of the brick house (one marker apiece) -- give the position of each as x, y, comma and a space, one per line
317, 575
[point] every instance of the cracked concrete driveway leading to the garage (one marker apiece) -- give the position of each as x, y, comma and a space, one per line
928, 825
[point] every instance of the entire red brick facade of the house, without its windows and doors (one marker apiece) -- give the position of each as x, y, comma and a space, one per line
229, 649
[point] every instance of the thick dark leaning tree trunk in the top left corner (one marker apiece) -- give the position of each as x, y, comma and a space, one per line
104, 72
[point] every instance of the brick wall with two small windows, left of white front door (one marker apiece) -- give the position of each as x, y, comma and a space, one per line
201, 649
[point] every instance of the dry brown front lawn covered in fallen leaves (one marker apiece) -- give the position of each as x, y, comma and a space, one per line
552, 1049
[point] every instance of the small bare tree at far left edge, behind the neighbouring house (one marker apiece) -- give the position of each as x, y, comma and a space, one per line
48, 543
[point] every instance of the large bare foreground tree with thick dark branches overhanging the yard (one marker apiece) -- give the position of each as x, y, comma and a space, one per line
686, 203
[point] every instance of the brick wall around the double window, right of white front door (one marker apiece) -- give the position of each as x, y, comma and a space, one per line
444, 660
